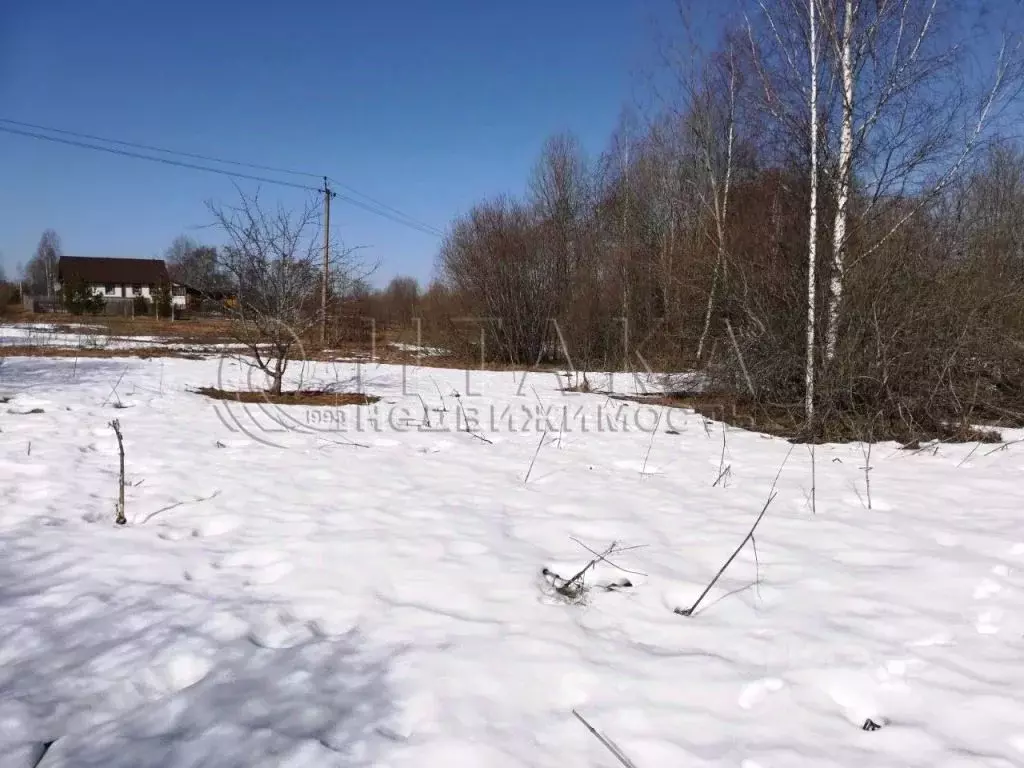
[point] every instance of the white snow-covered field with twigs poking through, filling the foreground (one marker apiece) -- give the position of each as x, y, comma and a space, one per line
284, 598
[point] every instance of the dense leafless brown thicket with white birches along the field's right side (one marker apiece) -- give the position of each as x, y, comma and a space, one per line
824, 214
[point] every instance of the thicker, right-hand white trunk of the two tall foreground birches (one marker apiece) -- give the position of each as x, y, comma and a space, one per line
844, 184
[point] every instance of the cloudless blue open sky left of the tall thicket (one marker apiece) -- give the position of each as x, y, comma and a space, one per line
426, 106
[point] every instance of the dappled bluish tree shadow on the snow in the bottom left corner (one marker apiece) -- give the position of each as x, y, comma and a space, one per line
105, 667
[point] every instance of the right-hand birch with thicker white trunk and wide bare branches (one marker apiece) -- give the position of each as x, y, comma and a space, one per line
911, 117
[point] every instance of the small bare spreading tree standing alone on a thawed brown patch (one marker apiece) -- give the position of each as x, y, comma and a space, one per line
274, 261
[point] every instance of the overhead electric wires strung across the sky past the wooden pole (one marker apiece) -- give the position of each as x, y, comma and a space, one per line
374, 206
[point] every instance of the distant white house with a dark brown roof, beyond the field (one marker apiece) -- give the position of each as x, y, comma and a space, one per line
120, 279
